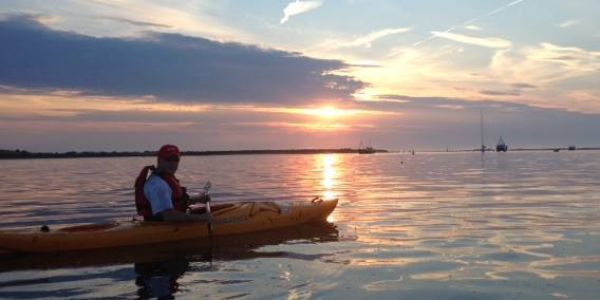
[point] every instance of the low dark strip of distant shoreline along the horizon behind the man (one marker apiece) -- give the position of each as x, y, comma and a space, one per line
23, 154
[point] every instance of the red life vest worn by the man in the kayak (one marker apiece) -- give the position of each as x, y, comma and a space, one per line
179, 196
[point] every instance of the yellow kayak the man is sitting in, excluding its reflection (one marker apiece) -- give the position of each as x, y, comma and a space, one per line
228, 219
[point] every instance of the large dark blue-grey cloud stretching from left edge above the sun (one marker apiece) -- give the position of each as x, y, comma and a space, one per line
171, 67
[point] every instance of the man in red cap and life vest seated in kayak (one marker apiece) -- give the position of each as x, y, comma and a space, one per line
161, 197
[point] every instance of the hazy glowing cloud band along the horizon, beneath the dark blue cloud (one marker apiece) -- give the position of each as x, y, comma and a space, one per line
418, 122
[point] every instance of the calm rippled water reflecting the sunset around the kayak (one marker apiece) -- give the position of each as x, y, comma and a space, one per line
428, 226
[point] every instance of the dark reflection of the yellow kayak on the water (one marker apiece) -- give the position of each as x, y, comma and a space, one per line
220, 248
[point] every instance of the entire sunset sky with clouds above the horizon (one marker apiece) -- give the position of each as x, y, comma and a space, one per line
100, 75
